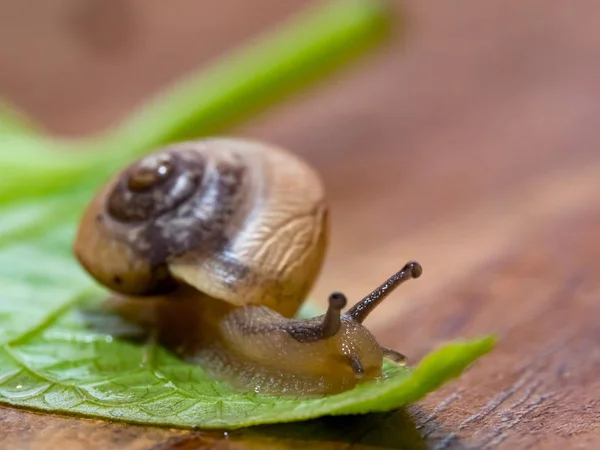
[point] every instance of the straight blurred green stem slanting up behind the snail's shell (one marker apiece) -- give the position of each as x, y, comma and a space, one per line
290, 57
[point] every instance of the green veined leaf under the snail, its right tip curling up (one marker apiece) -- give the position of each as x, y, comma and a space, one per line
52, 360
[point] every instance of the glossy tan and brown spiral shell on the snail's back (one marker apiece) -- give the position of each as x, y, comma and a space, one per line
240, 221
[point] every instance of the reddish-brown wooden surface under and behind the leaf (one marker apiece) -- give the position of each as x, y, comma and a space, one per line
473, 146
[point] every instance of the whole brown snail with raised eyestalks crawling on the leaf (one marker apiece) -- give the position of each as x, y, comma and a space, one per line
238, 230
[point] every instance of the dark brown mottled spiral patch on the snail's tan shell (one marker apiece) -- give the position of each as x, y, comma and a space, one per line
191, 208
